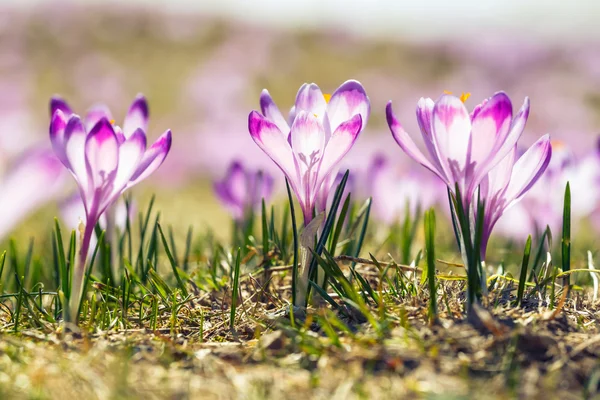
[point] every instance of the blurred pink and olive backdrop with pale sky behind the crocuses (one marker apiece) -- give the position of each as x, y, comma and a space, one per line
203, 64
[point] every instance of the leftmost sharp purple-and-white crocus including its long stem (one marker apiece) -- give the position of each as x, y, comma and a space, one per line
105, 160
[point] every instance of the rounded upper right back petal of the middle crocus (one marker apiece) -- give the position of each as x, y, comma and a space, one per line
347, 101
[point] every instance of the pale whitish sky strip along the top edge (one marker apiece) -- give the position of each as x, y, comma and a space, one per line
544, 19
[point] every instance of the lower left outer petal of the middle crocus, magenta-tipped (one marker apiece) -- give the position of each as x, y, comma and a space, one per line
269, 138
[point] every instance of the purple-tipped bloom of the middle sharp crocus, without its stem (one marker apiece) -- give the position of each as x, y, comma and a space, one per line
319, 134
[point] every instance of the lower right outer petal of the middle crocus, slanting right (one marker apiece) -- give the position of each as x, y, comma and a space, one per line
339, 144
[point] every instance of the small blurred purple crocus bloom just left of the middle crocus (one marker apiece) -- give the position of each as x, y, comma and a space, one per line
242, 190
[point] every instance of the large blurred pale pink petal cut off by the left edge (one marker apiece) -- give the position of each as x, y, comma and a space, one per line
36, 177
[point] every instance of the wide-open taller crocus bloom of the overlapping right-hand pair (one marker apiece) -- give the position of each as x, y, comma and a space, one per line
462, 148
